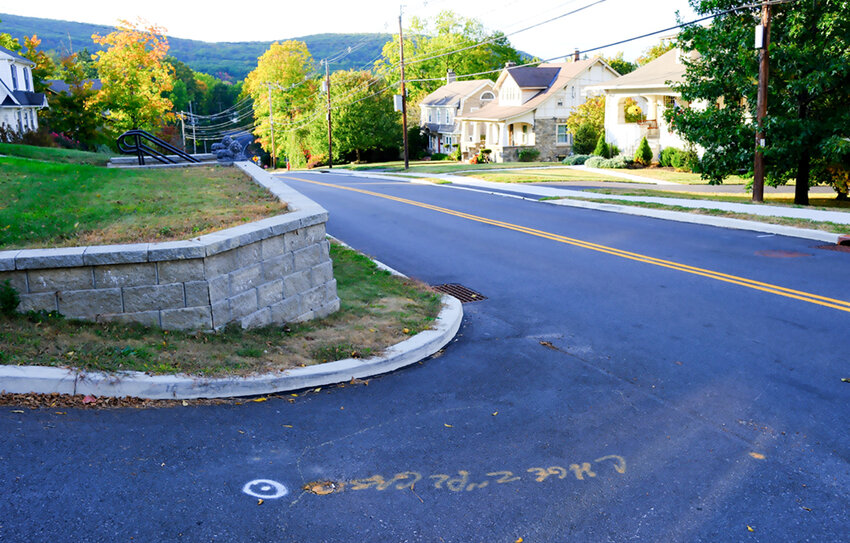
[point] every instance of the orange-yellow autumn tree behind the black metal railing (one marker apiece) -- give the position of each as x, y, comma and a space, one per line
134, 76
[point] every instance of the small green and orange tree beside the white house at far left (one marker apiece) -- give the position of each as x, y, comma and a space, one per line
68, 113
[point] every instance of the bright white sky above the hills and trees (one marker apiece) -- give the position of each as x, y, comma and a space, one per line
603, 22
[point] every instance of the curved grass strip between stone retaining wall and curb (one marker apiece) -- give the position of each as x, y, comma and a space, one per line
377, 310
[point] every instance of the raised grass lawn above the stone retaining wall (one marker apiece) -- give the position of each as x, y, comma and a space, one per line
52, 204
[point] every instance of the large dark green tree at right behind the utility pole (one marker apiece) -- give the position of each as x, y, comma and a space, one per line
808, 91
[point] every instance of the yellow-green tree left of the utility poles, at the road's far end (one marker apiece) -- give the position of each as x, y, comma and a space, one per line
282, 75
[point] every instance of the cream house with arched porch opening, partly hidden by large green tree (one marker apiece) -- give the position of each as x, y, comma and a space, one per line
648, 87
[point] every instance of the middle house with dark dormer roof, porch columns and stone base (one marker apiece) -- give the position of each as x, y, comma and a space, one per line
531, 109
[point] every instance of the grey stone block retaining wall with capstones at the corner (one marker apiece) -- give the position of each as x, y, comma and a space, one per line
271, 271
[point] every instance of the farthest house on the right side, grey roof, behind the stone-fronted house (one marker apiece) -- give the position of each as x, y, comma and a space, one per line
440, 109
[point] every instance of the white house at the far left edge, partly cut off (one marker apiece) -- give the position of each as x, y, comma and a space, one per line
18, 102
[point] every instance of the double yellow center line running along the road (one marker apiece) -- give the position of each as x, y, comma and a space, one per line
833, 303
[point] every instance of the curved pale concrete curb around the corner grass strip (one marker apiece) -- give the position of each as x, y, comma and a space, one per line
45, 380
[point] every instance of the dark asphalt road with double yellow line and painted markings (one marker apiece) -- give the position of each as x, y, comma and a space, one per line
626, 379
